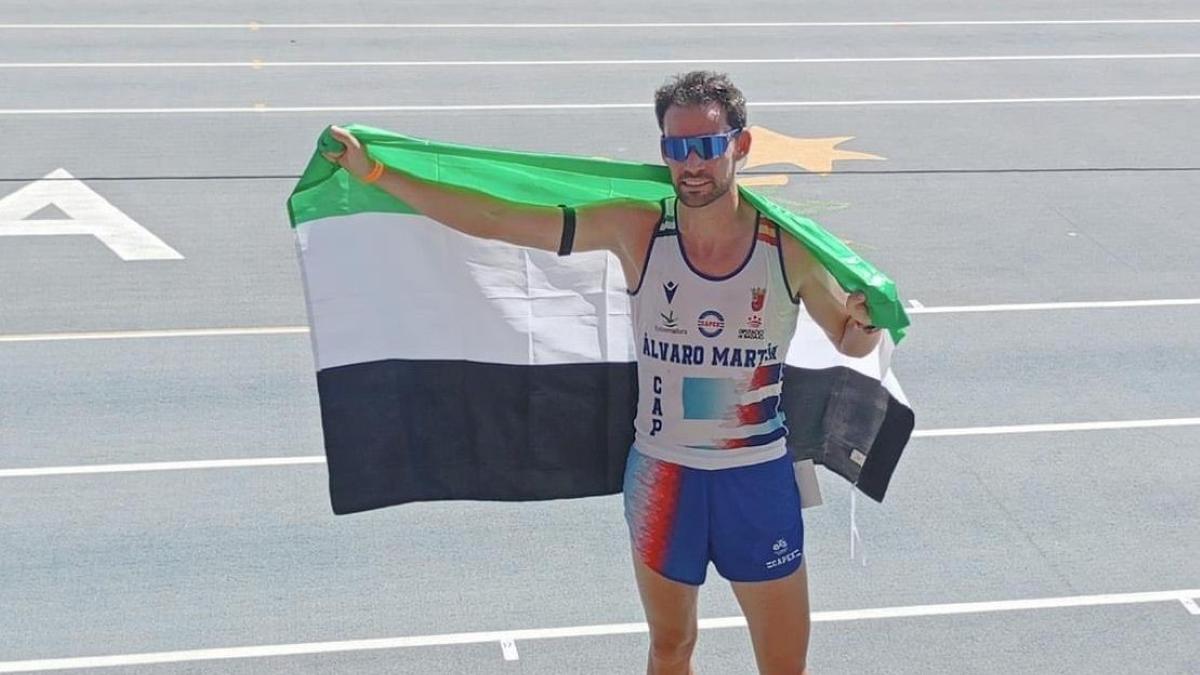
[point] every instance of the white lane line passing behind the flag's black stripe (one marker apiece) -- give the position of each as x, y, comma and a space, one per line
1054, 428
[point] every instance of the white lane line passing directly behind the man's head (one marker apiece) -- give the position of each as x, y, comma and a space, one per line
538, 107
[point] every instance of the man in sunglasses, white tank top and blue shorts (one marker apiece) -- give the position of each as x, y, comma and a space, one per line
716, 291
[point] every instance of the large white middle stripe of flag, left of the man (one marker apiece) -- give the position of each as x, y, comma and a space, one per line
469, 298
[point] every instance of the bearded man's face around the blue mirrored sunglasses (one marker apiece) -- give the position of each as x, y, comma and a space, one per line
699, 182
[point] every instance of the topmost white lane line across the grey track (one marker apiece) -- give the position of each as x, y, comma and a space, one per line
256, 26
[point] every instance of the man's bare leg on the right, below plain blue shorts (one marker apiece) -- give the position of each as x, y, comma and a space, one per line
778, 616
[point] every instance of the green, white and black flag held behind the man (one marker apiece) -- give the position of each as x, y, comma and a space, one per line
454, 368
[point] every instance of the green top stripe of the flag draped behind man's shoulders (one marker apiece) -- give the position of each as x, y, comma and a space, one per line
535, 180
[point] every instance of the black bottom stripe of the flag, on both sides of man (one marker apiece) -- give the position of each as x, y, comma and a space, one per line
400, 432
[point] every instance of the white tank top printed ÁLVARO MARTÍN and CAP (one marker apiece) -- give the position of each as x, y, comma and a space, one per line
711, 354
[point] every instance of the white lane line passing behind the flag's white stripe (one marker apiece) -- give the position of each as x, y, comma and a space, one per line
916, 308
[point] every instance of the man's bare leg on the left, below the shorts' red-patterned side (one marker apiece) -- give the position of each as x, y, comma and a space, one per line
671, 613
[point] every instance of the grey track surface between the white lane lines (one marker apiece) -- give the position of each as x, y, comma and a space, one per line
974, 205
